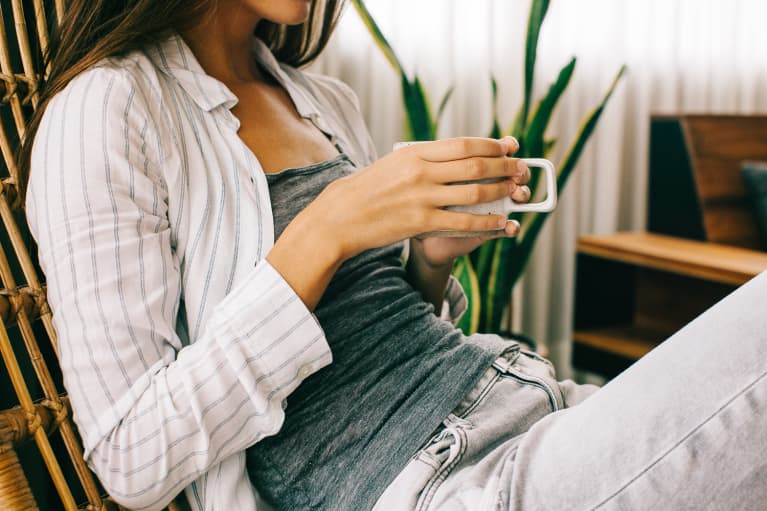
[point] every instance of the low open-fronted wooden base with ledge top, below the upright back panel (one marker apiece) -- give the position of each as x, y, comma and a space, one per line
633, 290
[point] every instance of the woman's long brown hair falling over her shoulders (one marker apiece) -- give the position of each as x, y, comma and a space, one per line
92, 30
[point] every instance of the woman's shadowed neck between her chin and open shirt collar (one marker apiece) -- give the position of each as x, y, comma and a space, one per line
222, 44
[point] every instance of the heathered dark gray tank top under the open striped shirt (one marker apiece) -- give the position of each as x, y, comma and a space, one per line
397, 372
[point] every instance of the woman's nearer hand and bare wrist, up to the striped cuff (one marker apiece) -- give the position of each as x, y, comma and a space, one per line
400, 196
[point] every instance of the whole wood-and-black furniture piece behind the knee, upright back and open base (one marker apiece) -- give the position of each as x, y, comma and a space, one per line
633, 290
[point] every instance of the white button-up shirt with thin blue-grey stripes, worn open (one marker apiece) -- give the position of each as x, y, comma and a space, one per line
178, 341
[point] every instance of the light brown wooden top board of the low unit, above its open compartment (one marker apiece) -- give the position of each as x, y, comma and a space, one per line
711, 261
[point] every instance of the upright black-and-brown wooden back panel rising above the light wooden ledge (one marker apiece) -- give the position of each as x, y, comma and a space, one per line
696, 189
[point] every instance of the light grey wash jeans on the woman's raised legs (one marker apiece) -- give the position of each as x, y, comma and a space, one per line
685, 428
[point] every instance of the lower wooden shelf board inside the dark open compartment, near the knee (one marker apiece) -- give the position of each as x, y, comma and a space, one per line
628, 341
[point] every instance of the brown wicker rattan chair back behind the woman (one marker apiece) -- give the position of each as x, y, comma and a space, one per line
41, 458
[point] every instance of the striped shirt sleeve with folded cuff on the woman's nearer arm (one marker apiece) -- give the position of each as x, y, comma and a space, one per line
154, 414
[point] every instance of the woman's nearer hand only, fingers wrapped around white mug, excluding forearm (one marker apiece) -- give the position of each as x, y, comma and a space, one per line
402, 194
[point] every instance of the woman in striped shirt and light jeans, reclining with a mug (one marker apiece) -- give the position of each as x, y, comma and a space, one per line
216, 231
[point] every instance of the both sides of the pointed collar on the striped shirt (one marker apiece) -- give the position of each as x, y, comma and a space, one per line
174, 58
